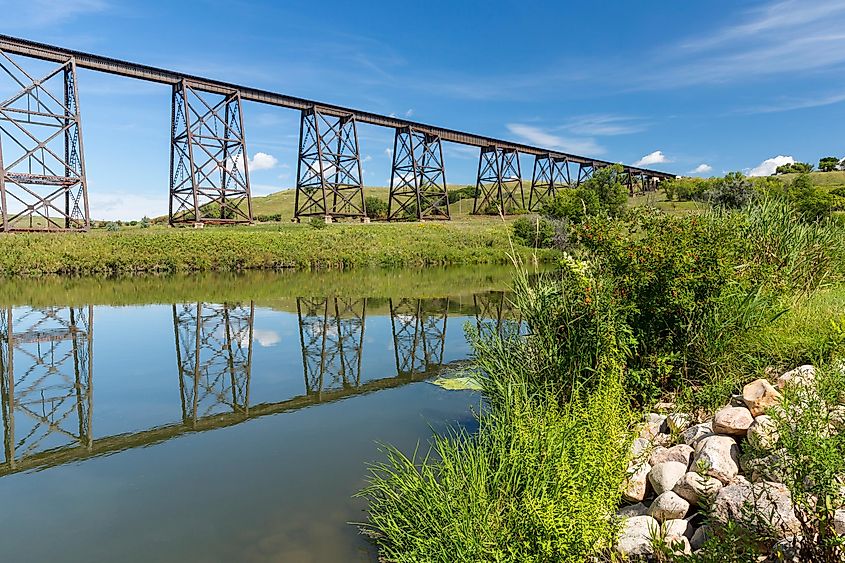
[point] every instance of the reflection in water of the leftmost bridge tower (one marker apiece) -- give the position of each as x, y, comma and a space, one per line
48, 403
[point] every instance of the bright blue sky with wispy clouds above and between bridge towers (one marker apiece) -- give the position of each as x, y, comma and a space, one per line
686, 87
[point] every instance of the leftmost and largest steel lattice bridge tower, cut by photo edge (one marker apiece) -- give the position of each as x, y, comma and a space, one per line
43, 186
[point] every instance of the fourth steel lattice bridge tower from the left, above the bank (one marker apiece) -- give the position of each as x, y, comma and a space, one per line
418, 179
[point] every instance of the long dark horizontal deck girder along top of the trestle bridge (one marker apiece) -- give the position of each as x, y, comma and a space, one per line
162, 76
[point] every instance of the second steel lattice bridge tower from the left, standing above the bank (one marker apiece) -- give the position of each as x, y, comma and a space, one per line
209, 170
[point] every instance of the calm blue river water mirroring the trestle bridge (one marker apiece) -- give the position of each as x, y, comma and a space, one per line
221, 417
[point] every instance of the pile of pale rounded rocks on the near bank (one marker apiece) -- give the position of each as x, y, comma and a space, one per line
679, 470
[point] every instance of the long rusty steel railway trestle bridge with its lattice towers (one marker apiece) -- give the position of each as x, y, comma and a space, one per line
43, 183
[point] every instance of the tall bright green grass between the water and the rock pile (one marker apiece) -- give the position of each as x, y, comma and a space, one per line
541, 477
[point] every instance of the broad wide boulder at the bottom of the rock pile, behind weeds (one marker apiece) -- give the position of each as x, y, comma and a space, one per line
767, 505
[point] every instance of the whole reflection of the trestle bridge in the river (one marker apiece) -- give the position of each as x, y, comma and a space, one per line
46, 367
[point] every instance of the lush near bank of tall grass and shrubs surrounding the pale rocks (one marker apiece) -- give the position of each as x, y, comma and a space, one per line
649, 307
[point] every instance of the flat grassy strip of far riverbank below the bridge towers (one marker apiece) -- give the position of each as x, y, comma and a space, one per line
159, 249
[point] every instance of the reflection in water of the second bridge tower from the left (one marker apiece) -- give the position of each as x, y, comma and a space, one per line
214, 358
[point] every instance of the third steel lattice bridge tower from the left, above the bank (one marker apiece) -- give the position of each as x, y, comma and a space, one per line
329, 177
